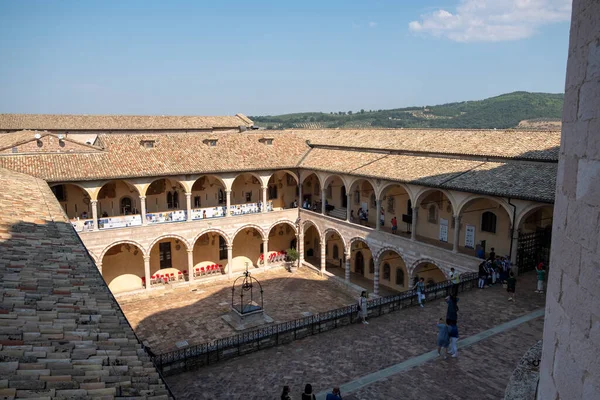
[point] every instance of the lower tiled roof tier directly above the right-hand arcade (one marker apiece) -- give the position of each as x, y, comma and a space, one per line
525, 180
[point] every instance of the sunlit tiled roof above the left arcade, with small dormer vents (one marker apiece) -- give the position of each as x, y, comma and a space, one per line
174, 154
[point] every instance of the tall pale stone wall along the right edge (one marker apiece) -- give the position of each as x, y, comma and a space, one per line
570, 363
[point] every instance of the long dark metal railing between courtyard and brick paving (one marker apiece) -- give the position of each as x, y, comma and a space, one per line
285, 332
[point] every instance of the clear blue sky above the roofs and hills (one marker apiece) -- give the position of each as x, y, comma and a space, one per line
272, 57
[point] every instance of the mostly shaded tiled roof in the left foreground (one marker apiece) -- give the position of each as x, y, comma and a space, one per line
63, 334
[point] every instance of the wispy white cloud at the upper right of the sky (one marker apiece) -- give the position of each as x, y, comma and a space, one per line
493, 20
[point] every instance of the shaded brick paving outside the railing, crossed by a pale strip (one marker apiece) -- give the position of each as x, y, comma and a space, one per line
348, 353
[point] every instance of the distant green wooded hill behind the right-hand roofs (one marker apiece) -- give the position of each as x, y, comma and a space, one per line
511, 110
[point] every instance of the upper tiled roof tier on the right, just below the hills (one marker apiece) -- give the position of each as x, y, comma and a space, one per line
538, 145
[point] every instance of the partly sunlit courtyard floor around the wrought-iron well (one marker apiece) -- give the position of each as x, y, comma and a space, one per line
193, 312
